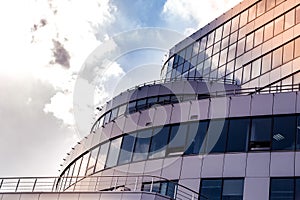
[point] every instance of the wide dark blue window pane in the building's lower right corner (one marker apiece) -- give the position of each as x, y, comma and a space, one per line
282, 188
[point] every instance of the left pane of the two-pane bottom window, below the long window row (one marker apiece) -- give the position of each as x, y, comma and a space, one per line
211, 189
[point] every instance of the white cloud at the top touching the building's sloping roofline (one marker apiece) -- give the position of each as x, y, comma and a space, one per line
194, 12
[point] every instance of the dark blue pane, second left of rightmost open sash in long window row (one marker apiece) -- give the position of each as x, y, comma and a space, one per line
216, 136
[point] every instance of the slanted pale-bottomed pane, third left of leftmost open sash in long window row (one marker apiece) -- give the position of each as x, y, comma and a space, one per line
127, 149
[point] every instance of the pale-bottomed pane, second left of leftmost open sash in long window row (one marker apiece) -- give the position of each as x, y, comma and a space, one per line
142, 145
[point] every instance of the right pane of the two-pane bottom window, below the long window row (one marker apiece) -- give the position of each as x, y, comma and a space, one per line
233, 189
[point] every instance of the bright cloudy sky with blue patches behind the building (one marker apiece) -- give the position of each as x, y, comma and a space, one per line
44, 44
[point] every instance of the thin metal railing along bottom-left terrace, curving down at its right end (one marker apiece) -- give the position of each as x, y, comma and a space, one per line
91, 184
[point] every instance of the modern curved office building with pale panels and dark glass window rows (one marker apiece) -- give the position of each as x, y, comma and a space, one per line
222, 123
